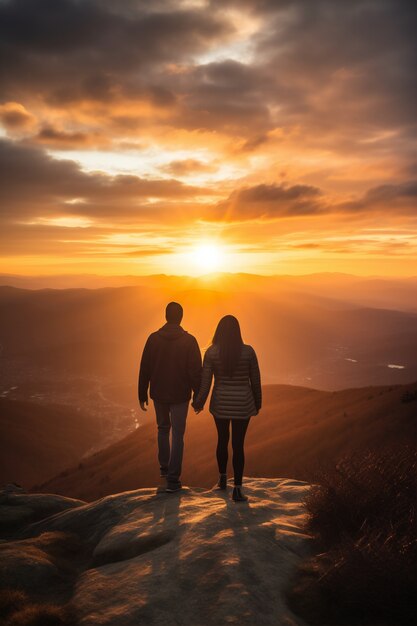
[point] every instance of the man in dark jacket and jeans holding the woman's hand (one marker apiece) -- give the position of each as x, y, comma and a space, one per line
171, 365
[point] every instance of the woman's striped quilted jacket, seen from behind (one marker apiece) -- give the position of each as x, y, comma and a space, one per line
237, 396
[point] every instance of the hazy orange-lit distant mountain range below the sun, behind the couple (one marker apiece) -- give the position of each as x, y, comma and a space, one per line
326, 331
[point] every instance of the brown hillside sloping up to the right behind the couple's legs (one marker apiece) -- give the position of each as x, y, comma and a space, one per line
297, 430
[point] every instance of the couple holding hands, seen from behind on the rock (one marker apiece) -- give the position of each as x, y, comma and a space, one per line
171, 366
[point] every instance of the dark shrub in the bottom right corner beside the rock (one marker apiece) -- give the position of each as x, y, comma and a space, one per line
362, 514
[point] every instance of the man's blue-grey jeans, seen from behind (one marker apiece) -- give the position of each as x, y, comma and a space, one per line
170, 457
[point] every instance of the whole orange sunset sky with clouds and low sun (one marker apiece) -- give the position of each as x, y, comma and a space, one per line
270, 136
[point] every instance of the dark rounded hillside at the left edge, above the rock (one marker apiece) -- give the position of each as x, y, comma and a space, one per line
39, 440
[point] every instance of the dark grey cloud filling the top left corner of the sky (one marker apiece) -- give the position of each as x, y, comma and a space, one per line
68, 50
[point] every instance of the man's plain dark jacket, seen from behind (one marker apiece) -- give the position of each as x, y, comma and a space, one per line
171, 364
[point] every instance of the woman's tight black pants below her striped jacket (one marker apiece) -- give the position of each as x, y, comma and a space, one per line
239, 427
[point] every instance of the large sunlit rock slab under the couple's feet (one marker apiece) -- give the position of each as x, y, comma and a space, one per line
190, 558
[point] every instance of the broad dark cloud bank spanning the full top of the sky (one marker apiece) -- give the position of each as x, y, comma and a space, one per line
338, 69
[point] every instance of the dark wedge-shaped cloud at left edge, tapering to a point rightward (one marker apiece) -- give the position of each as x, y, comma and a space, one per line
33, 183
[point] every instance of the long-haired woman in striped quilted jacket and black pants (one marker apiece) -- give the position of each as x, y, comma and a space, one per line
236, 395
